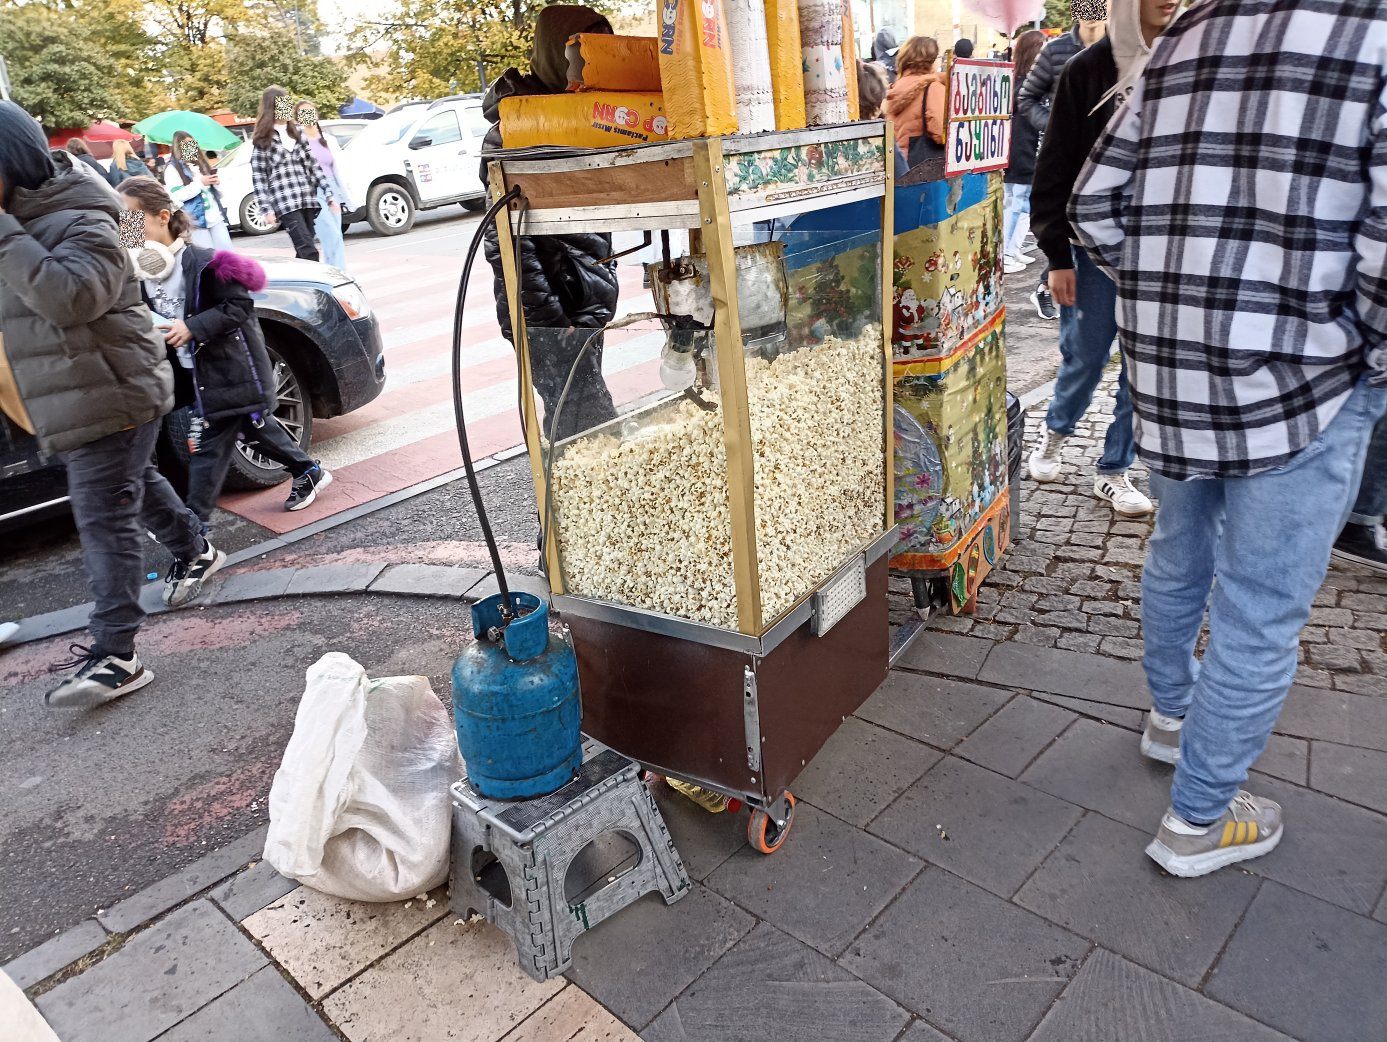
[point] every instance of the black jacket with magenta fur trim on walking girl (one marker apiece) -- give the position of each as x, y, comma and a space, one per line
232, 374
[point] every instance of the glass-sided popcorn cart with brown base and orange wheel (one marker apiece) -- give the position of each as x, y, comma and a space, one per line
719, 549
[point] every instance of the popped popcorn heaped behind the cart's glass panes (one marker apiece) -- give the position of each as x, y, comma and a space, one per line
644, 520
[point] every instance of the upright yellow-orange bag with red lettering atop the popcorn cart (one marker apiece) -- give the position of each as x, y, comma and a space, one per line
697, 69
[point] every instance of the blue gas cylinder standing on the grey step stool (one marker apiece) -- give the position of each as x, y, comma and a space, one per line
517, 703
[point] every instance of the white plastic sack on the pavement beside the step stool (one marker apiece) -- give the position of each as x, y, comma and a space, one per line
360, 804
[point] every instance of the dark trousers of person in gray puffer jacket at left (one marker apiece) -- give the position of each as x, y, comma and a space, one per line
117, 495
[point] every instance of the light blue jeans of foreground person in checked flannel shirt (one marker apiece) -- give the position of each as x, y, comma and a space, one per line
1267, 540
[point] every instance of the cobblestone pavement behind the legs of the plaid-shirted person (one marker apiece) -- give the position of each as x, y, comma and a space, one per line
1073, 579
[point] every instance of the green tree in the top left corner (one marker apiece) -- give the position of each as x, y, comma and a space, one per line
56, 69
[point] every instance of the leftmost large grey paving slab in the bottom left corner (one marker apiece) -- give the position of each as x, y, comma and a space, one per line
159, 979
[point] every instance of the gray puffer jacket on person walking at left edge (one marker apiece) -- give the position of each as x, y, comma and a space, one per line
81, 342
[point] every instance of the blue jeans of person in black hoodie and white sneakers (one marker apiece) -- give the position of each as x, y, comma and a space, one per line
1087, 336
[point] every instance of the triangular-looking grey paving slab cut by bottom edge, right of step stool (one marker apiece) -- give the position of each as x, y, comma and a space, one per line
772, 987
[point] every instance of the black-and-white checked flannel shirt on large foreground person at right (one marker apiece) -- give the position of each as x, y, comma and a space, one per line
1239, 200
